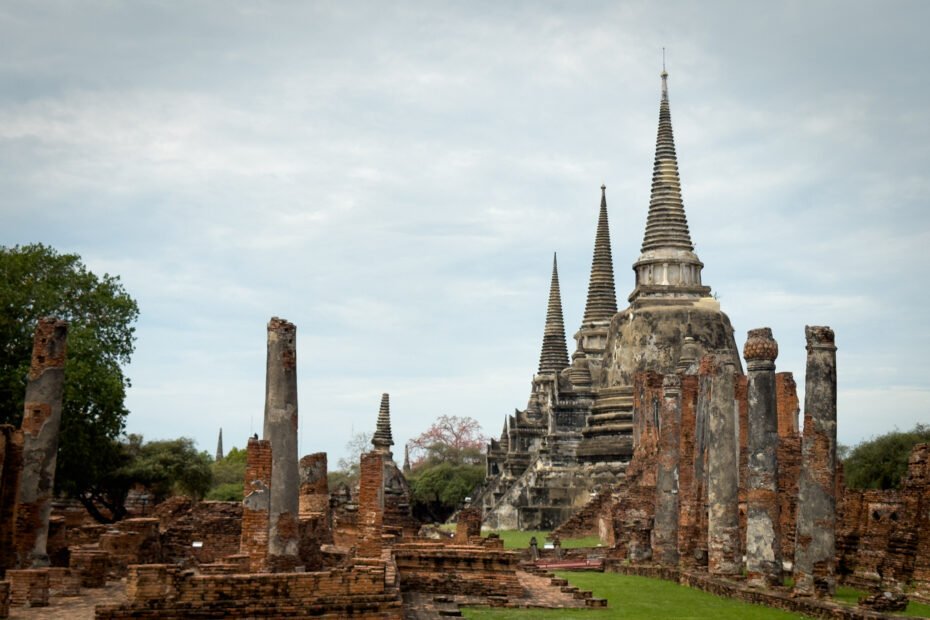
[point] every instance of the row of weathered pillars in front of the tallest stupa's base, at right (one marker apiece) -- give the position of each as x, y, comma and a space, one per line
699, 458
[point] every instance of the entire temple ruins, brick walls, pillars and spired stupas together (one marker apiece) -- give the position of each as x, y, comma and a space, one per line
652, 437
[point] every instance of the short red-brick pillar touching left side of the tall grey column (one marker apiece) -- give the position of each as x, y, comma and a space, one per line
256, 499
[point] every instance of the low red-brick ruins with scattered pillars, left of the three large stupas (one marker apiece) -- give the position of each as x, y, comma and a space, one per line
290, 548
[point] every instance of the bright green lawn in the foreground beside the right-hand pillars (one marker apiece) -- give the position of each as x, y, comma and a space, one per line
639, 597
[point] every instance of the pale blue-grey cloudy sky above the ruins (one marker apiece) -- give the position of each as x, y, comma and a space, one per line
394, 178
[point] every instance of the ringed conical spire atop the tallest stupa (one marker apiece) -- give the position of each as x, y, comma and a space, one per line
666, 226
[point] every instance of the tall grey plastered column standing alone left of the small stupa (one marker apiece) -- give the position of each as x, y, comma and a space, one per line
281, 431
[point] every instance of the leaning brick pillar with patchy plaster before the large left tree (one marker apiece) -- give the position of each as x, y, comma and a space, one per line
41, 423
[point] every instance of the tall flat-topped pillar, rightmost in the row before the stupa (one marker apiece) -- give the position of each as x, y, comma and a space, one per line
816, 537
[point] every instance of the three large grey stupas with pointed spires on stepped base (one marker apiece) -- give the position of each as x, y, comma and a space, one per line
576, 435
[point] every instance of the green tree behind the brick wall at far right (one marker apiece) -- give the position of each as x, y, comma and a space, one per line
881, 462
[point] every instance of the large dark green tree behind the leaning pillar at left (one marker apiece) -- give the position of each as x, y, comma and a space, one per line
36, 281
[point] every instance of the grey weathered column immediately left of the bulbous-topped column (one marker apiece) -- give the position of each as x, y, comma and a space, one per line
718, 392
